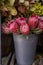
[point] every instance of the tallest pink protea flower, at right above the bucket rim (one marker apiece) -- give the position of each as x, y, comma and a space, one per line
33, 21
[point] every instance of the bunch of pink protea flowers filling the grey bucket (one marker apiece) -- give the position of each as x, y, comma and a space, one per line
24, 26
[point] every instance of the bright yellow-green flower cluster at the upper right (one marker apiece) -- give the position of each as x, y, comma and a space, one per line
37, 9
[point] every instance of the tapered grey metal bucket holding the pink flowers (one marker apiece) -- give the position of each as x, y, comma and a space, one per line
25, 47
